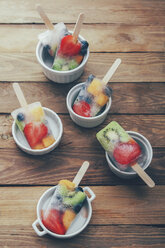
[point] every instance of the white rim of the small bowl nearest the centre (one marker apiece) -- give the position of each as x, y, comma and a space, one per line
107, 107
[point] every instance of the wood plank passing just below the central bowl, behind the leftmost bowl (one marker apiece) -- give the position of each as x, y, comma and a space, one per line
137, 123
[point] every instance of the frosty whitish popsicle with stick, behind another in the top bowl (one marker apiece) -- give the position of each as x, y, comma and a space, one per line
52, 37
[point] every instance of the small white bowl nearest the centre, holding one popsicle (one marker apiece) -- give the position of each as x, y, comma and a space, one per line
88, 122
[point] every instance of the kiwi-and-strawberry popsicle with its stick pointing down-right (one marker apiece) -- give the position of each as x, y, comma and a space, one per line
122, 149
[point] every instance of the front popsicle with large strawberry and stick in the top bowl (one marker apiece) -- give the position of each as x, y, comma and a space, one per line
70, 51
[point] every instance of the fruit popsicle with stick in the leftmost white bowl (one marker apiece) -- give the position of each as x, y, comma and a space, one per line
31, 121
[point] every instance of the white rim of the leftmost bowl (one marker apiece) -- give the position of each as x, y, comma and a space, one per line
38, 151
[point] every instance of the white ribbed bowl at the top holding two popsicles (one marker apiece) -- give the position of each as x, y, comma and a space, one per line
60, 76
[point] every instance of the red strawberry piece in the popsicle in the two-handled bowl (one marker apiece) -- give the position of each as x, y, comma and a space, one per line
53, 221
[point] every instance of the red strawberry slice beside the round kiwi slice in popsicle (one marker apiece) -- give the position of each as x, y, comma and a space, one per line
126, 153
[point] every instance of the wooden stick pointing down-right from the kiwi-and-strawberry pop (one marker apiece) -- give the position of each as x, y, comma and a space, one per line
144, 176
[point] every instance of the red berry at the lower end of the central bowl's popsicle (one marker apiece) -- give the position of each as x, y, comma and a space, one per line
82, 108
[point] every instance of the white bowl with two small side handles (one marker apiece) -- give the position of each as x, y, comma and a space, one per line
79, 223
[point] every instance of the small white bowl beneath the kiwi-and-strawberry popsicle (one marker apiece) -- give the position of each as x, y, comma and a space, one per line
144, 160
